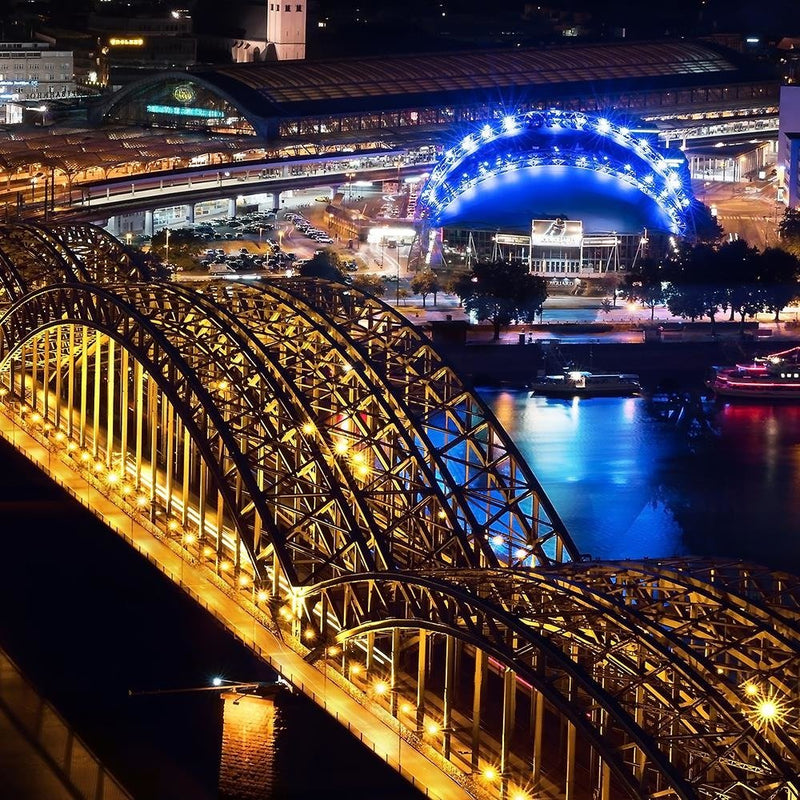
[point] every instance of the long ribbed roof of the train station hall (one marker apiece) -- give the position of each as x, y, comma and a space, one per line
291, 88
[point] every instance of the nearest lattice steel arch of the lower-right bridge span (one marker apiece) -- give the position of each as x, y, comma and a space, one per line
379, 602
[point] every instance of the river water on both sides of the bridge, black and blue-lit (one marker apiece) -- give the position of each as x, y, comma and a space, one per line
88, 620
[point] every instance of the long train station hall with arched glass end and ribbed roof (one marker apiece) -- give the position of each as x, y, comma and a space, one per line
387, 101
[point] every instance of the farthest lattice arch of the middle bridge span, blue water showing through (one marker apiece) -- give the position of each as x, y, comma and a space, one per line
460, 428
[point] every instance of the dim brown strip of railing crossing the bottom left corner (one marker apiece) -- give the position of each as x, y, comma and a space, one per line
53, 738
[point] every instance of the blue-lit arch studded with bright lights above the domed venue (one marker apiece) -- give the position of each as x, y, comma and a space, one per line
564, 139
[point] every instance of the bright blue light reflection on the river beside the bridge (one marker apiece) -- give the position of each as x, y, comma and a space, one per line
598, 461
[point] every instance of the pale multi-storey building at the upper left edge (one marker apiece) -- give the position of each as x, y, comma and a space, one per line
32, 73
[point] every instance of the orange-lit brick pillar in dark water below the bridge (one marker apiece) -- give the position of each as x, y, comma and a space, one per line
246, 770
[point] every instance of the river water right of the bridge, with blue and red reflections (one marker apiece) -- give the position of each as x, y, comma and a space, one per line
629, 485
